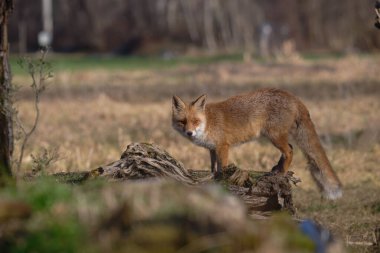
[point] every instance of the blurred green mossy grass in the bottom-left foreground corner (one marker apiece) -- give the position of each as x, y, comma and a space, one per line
53, 225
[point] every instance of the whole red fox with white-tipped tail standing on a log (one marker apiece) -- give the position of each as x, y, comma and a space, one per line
272, 113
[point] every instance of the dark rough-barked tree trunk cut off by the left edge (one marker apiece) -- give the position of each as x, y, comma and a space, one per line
6, 130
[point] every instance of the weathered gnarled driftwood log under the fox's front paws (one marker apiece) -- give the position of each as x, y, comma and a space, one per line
262, 192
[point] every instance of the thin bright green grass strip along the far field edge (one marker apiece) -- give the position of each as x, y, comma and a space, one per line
80, 62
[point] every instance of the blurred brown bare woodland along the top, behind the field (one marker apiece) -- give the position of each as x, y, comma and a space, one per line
148, 26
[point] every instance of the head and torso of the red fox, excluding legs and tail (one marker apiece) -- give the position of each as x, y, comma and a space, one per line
236, 120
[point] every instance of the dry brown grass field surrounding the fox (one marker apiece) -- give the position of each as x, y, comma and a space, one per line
90, 116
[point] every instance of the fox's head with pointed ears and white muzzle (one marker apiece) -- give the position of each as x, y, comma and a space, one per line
189, 119
